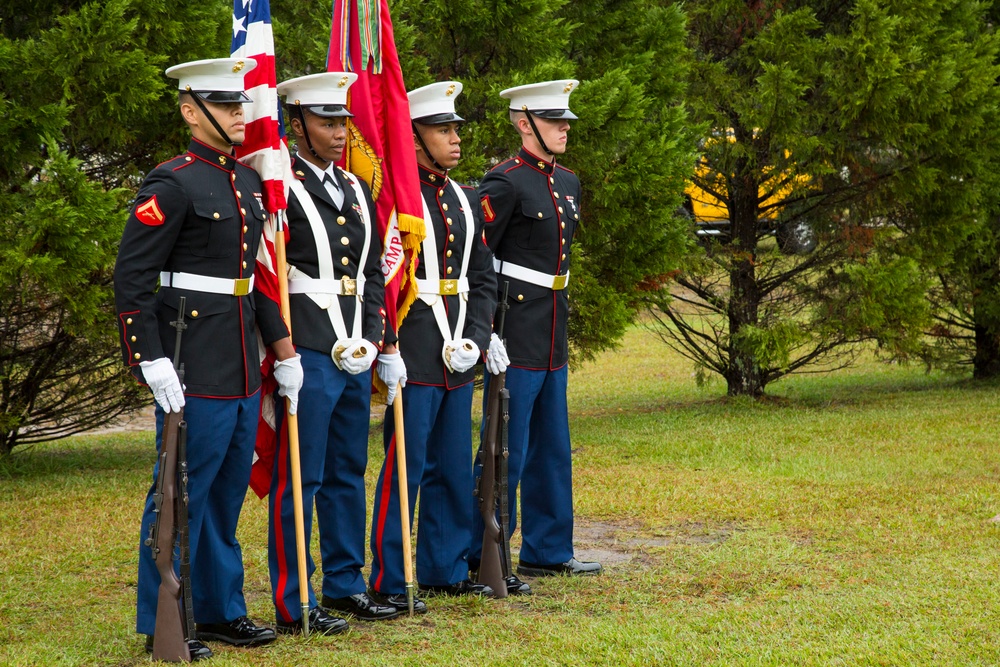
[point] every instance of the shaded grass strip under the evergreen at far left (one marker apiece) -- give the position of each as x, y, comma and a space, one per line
80, 455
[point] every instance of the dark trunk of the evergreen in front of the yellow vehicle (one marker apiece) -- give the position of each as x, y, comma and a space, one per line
744, 376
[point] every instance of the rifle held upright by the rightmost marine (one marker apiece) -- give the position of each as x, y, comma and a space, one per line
495, 564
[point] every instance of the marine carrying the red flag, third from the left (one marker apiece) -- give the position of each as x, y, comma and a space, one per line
440, 340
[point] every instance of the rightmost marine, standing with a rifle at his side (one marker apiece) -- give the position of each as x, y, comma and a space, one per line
532, 208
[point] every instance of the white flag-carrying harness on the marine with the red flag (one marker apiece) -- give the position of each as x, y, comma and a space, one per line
433, 286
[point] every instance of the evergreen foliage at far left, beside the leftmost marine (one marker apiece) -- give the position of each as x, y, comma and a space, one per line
85, 111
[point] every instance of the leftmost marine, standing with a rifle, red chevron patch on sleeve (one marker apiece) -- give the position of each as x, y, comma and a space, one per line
195, 229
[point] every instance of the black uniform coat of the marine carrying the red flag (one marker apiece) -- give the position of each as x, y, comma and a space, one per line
420, 339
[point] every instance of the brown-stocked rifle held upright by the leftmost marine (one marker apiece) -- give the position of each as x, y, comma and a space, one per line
172, 615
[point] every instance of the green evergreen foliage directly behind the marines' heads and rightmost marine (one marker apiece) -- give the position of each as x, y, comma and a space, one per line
628, 148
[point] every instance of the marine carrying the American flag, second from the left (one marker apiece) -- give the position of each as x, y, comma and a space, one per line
337, 296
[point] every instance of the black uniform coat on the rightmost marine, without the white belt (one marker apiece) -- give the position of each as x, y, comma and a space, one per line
532, 209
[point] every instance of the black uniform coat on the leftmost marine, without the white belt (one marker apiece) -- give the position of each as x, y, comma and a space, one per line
198, 213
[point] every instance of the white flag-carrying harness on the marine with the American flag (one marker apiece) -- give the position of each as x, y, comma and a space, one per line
325, 290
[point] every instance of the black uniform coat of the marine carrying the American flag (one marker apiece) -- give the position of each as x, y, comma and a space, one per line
311, 326
